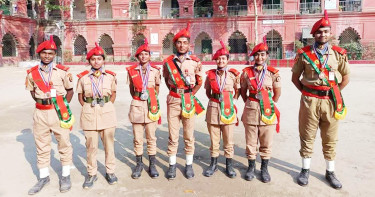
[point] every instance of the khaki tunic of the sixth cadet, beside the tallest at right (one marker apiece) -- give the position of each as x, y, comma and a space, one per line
252, 114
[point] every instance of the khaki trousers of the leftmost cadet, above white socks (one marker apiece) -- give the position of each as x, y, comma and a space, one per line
45, 122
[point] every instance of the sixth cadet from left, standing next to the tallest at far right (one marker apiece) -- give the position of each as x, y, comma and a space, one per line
260, 112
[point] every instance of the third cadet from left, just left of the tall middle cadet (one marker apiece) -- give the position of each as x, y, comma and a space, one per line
144, 81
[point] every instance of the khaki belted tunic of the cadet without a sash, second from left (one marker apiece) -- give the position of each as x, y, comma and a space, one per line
97, 118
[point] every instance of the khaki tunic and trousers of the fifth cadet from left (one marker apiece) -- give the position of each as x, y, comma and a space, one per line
215, 126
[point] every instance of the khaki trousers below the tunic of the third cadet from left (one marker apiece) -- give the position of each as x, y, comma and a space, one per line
138, 130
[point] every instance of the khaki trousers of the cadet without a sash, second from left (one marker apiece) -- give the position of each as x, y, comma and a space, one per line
92, 141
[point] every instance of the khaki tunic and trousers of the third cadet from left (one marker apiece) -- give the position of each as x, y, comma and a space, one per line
138, 116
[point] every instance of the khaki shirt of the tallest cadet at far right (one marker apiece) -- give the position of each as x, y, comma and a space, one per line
338, 63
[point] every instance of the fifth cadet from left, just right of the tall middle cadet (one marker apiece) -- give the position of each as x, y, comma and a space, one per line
222, 88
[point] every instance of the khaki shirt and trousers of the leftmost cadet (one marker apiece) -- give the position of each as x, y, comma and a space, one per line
47, 121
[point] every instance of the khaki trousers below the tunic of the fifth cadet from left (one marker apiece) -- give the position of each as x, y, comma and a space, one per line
215, 134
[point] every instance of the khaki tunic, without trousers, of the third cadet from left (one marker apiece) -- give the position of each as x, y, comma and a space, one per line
138, 112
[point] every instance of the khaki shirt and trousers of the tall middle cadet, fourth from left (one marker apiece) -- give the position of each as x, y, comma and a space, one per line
174, 109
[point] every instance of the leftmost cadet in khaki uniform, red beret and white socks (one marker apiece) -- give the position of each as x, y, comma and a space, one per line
51, 86
